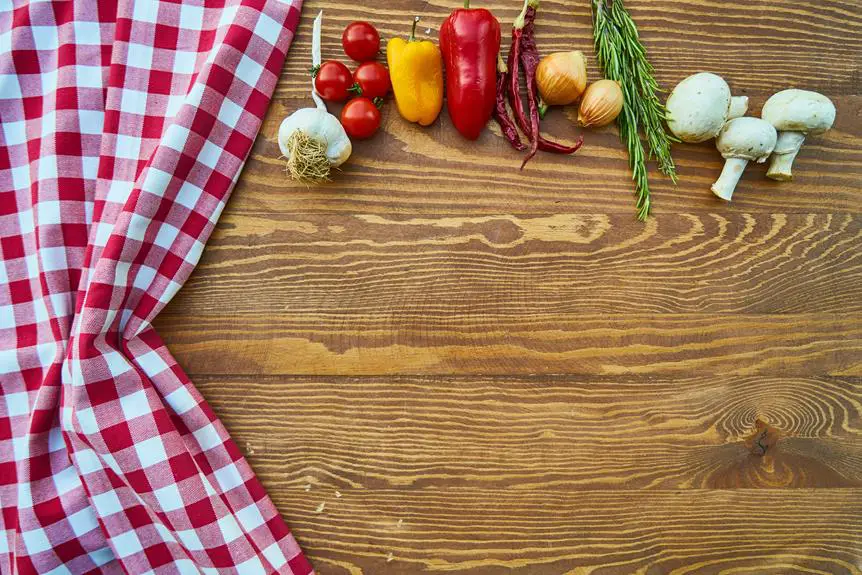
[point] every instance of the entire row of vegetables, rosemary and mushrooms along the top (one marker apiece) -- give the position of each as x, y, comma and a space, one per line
481, 81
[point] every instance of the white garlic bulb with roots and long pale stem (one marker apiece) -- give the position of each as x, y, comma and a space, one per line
311, 139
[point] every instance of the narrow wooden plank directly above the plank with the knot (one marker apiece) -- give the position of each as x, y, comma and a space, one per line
415, 340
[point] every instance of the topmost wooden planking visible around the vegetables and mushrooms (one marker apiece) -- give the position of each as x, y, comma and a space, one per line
759, 47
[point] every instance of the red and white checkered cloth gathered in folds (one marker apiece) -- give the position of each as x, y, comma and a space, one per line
123, 128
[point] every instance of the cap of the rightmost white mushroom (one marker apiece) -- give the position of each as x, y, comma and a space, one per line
799, 111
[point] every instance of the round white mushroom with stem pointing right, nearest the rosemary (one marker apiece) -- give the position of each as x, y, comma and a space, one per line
700, 105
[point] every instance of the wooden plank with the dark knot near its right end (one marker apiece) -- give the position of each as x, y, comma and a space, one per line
543, 433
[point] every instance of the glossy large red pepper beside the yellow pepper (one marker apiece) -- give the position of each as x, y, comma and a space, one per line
470, 42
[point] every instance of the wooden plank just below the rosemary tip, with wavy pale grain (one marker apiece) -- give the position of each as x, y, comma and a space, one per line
505, 265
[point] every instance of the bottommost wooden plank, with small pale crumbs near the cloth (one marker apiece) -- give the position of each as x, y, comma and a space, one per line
497, 532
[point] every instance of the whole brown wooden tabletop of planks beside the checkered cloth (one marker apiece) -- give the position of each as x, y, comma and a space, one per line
440, 364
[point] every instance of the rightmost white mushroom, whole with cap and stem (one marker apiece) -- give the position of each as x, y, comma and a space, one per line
795, 114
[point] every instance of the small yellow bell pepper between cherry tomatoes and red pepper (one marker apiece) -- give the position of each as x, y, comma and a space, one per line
416, 70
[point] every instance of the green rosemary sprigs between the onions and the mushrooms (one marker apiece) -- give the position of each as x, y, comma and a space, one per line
622, 57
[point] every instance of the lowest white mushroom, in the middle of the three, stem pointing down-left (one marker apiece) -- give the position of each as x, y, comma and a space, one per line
740, 141
